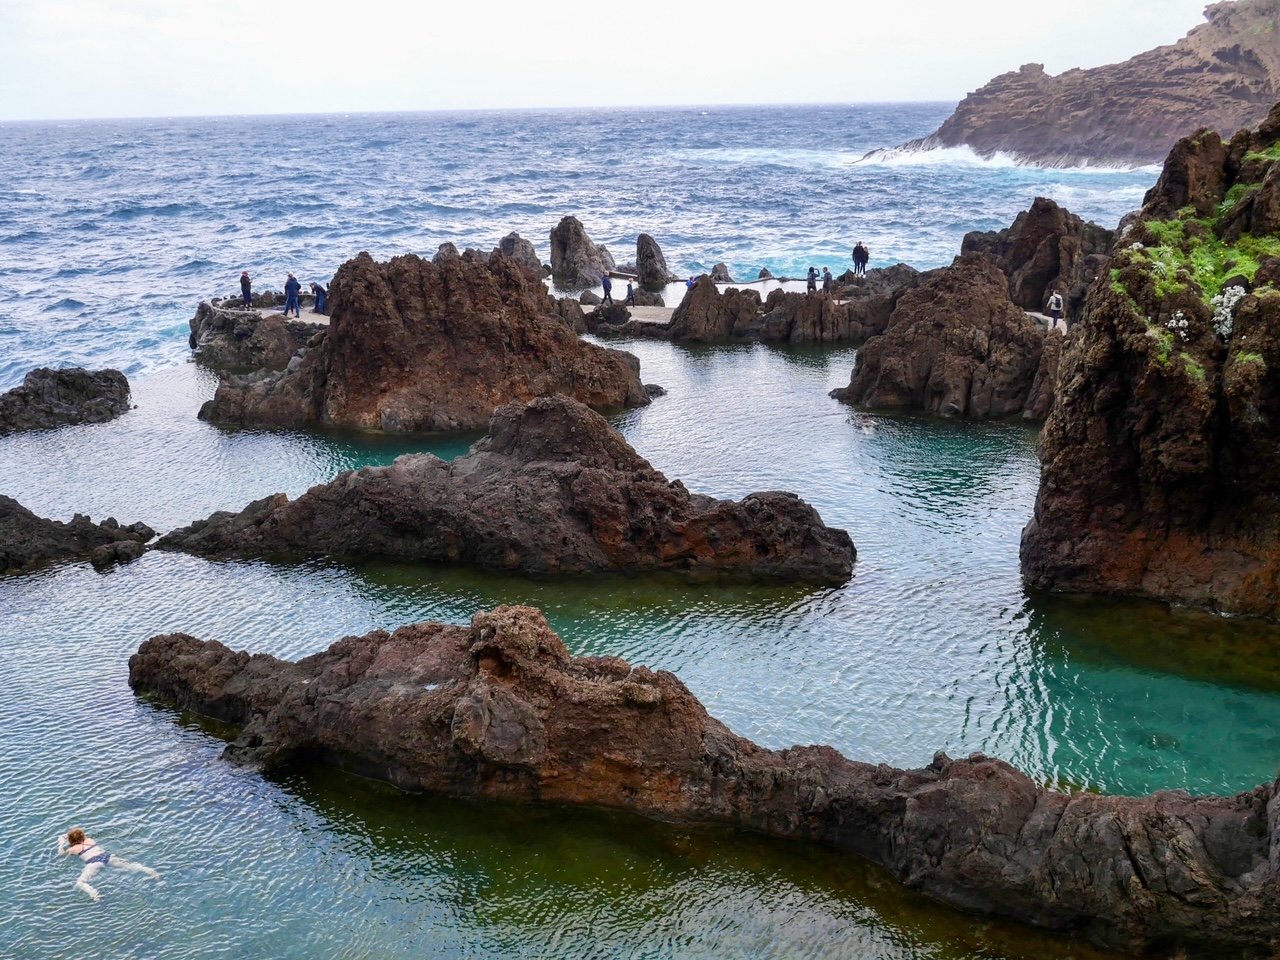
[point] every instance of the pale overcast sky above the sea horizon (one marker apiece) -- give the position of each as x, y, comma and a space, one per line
168, 58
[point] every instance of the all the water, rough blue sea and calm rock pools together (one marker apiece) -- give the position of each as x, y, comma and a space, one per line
112, 232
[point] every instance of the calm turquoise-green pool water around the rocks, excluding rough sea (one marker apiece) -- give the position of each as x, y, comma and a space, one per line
932, 646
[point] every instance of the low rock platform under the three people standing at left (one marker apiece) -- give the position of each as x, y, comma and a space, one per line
228, 339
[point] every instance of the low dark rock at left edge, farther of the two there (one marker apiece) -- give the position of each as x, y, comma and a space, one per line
51, 399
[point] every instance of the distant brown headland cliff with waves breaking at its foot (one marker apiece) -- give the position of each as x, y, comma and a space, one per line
1224, 75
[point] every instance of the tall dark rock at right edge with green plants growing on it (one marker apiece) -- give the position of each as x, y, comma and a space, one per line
1162, 456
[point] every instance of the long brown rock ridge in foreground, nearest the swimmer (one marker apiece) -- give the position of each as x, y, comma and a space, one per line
502, 711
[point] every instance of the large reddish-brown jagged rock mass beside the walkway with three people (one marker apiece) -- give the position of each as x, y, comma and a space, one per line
415, 346
